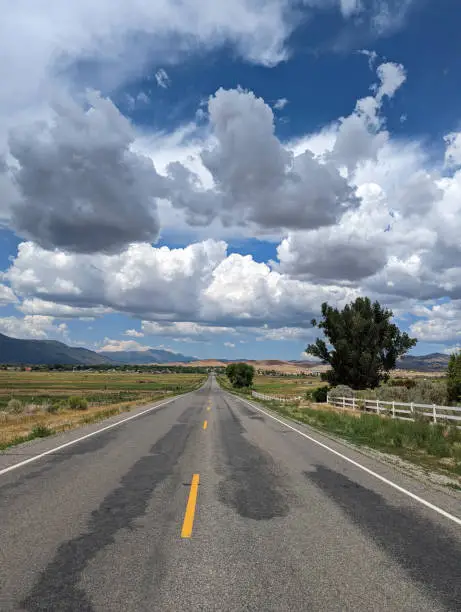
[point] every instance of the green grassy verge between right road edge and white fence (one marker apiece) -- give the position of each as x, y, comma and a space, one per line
432, 446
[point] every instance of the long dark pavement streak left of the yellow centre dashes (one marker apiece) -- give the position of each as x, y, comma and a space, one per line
58, 586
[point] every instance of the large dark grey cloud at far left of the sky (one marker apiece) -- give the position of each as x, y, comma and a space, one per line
81, 187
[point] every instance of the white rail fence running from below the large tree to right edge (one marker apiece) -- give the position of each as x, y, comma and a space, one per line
400, 410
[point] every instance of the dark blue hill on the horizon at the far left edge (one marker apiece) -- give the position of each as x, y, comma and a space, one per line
45, 352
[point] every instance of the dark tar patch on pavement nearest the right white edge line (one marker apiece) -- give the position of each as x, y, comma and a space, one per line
424, 549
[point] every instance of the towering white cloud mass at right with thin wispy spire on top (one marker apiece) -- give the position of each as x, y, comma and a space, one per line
402, 240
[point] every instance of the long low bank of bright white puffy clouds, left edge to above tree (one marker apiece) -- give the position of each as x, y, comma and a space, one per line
199, 289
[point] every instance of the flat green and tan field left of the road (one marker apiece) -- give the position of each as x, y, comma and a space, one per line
36, 404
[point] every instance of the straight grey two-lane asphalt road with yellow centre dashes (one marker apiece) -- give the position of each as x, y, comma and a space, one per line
279, 522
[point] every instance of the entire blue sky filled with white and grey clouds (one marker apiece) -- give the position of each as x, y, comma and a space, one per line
203, 179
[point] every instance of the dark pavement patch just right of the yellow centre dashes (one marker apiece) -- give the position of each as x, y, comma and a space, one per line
252, 484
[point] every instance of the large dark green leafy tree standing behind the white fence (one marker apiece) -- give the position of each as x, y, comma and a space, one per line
361, 345
